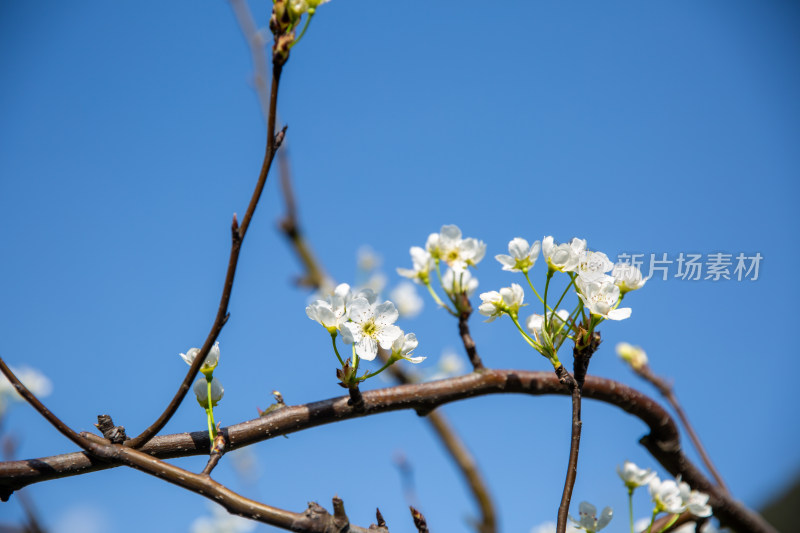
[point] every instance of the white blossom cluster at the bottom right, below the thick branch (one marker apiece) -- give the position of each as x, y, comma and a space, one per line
668, 496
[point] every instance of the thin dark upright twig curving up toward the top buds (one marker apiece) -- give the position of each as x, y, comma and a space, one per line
238, 233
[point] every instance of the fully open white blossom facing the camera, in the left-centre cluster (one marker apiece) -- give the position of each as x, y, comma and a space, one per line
370, 325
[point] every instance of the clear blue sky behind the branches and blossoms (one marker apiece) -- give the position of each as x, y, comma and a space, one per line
131, 133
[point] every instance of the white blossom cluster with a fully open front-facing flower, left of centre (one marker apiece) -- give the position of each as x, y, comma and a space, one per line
365, 324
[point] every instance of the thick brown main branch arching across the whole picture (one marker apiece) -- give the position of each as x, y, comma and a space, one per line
663, 441
